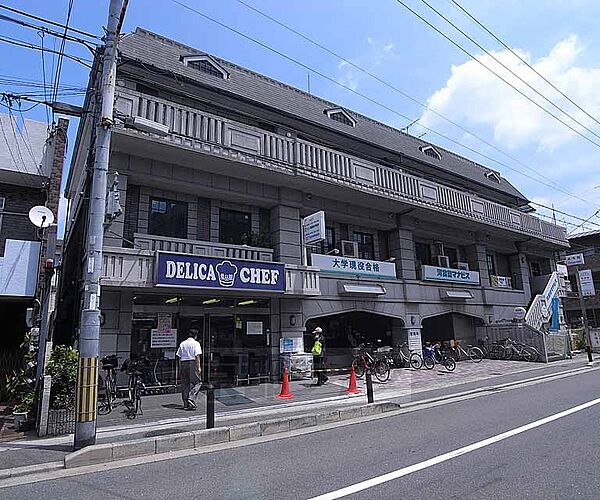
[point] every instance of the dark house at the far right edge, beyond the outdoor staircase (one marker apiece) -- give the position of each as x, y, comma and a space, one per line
588, 244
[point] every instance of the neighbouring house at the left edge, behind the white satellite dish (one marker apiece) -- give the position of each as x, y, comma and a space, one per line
31, 161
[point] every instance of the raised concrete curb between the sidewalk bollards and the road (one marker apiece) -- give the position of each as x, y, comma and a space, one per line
102, 453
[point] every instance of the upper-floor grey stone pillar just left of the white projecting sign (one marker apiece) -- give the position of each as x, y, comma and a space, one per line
285, 234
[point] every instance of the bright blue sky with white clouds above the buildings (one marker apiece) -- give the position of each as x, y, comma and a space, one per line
463, 106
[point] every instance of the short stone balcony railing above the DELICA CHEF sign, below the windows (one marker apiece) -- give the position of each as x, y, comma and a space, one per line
206, 248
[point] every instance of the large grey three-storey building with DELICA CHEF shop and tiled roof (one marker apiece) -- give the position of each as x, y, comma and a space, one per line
217, 167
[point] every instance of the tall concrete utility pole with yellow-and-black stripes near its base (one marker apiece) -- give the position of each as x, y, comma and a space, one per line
89, 336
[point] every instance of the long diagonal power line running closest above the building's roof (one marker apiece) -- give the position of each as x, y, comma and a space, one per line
367, 98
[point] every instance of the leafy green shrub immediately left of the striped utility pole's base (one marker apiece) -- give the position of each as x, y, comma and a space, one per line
62, 366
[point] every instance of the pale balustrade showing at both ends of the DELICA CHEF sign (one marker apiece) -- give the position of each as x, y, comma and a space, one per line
132, 267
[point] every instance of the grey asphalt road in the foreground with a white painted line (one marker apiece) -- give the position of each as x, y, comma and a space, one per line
558, 459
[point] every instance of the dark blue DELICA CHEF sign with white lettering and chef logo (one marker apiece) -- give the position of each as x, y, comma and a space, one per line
226, 274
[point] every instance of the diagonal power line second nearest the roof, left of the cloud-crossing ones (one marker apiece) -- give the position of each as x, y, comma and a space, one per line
396, 89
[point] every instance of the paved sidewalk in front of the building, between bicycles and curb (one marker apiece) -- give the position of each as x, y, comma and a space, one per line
164, 414
